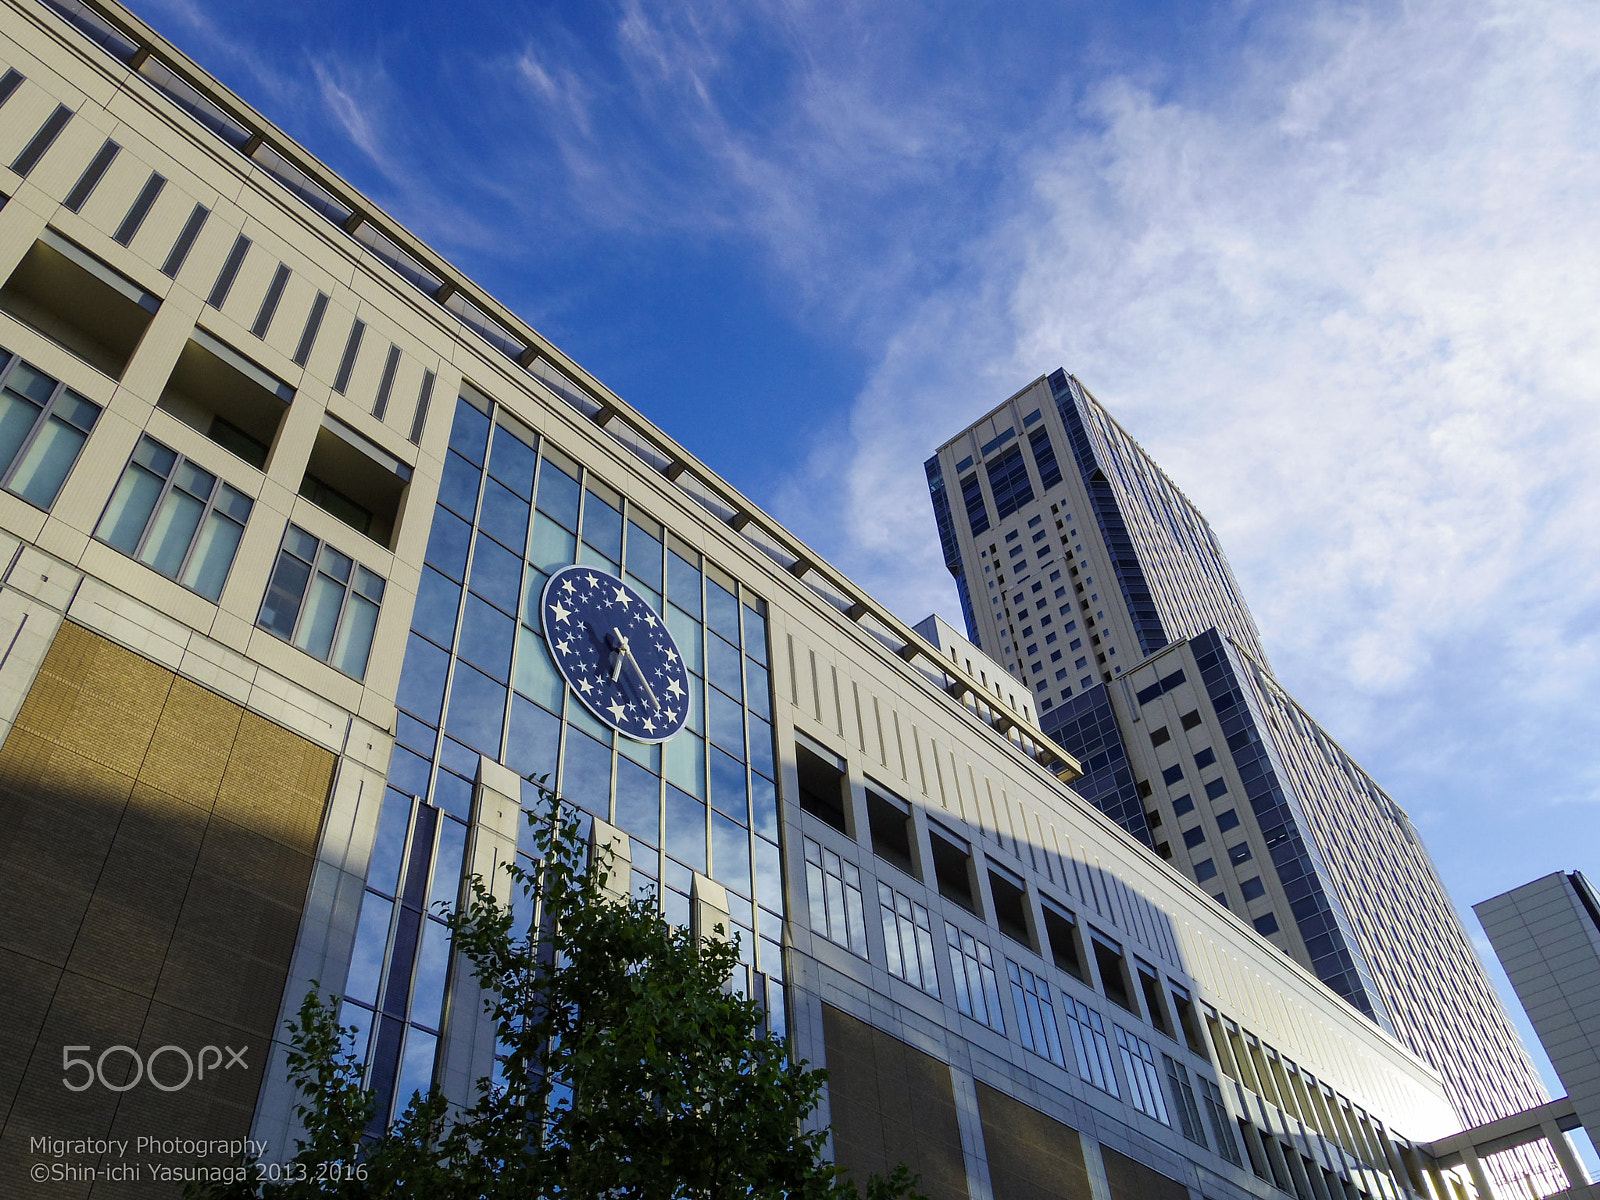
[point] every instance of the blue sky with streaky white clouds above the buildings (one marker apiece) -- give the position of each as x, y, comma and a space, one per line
1335, 266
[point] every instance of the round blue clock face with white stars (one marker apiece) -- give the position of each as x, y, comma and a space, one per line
617, 654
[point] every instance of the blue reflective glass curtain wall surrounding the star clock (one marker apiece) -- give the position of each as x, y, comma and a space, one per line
479, 679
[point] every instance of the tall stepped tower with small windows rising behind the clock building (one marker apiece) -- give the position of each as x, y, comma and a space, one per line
1106, 594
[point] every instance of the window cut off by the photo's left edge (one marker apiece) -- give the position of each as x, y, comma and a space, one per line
44, 425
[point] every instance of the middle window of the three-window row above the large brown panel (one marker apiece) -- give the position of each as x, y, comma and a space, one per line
177, 519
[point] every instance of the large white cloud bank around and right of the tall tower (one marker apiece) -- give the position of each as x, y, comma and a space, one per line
1350, 303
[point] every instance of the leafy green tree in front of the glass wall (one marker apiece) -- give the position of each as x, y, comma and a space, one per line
630, 1068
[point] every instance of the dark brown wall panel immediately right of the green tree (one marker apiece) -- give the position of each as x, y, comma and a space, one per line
892, 1105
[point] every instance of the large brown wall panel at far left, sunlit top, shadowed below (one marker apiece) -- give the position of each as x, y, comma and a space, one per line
158, 847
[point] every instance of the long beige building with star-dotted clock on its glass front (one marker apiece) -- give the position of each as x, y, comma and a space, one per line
281, 497
